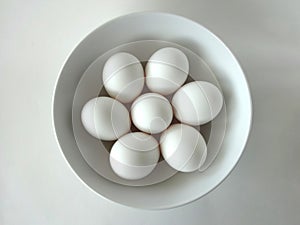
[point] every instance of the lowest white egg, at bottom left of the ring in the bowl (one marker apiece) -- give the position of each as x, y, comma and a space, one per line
134, 155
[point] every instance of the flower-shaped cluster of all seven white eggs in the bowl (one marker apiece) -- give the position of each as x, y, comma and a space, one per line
135, 154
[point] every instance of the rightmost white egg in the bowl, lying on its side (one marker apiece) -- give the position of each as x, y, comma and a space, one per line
197, 103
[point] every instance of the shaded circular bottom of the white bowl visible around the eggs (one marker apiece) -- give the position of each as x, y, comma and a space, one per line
96, 153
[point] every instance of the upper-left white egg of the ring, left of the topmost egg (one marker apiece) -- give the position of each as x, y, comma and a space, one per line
123, 77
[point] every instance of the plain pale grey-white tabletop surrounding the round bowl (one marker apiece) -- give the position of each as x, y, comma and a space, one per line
37, 187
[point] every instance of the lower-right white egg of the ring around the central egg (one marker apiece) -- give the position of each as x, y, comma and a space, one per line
183, 148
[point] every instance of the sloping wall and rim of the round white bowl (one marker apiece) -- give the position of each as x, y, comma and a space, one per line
180, 188
